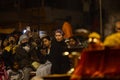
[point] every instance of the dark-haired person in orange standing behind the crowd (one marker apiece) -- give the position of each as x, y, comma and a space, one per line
67, 28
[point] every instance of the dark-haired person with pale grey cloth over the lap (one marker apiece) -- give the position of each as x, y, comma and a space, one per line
45, 65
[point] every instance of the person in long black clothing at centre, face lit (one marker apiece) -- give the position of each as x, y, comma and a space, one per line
60, 63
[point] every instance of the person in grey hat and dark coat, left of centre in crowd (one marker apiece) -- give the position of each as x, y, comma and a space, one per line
23, 57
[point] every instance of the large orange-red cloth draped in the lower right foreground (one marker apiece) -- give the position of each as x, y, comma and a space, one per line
98, 63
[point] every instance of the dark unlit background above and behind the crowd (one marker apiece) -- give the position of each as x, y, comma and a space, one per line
20, 13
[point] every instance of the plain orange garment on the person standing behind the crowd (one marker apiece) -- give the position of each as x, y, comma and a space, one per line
67, 29
